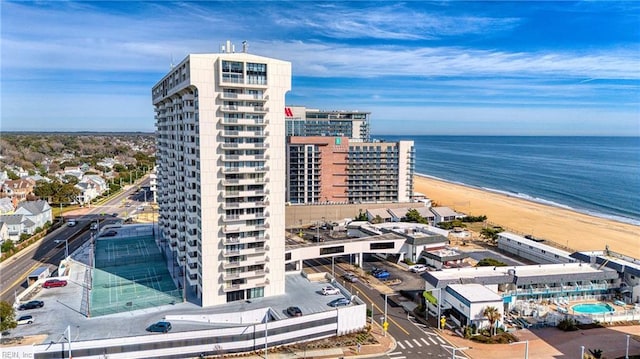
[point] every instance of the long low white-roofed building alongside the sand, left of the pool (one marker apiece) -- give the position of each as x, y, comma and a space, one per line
533, 250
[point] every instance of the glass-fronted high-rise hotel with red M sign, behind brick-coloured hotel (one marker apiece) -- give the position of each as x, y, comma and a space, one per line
304, 122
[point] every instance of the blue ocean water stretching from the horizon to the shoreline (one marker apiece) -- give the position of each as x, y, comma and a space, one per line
599, 176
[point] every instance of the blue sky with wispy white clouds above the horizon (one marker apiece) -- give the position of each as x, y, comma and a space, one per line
478, 68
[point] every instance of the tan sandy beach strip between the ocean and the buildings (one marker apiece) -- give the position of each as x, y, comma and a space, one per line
566, 228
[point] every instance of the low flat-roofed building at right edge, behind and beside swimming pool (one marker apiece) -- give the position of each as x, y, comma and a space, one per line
628, 269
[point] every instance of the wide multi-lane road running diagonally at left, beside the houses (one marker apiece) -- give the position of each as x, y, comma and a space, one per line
50, 250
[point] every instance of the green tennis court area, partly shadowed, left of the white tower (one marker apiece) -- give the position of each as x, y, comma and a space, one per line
130, 273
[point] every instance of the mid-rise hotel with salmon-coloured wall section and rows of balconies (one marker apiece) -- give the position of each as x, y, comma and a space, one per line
332, 169
